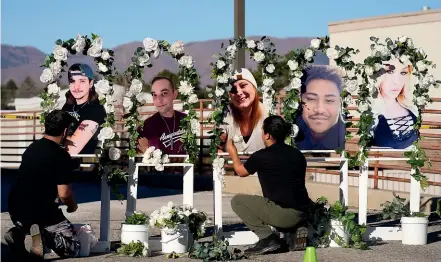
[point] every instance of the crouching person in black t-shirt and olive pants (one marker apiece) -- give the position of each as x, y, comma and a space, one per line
281, 170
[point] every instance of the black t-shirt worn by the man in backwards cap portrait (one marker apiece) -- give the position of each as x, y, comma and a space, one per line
91, 110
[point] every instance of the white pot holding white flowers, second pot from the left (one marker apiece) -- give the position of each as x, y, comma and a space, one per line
176, 240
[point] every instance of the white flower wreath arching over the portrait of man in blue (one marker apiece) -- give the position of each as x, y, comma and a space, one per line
298, 62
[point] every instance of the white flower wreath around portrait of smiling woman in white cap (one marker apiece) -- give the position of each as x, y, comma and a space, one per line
263, 53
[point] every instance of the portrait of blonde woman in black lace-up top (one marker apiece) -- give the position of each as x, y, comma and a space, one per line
394, 111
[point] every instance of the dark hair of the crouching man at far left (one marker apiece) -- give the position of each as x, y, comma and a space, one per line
56, 122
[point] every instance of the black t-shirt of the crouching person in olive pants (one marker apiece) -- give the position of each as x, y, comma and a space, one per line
281, 170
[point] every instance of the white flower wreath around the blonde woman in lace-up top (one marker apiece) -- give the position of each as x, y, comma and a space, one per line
404, 50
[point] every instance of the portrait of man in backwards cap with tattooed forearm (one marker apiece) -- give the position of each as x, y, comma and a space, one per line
83, 104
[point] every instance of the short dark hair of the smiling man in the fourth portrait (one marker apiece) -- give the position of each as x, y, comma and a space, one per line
320, 72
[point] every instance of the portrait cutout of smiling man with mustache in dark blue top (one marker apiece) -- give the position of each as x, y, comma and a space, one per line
320, 120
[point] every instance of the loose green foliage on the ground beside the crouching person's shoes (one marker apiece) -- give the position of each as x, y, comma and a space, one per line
217, 250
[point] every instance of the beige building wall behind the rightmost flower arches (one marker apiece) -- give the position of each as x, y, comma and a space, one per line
423, 27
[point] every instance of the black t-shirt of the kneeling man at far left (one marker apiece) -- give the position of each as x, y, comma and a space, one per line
32, 197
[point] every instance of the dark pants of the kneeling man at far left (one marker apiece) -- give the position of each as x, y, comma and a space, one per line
60, 237
